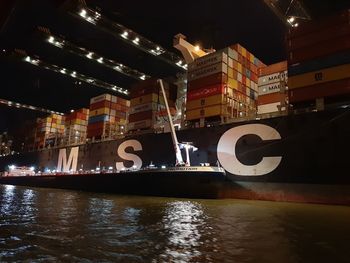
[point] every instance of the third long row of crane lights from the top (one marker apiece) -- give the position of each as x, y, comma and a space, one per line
76, 75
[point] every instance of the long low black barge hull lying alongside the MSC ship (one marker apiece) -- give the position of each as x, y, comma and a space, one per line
170, 184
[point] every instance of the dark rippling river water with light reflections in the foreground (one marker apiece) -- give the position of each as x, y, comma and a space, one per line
45, 225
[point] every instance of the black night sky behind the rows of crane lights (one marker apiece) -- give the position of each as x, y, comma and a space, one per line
210, 23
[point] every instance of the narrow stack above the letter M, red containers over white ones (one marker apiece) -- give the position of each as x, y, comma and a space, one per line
76, 127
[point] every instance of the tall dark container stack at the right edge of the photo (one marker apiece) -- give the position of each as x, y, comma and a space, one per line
319, 61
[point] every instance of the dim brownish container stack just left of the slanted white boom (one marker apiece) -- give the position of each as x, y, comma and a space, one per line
147, 105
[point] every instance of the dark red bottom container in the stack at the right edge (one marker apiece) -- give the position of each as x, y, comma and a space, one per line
327, 89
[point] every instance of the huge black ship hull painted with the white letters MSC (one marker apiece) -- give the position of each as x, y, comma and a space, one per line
303, 158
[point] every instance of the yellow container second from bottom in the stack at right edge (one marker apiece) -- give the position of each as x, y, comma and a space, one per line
320, 76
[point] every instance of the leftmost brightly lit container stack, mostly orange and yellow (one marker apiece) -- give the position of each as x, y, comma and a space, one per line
49, 131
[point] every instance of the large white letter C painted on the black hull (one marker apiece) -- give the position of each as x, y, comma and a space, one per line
226, 150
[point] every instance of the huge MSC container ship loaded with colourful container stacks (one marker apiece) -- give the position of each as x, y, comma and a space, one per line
281, 132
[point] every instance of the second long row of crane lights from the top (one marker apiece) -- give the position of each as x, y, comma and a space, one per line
56, 41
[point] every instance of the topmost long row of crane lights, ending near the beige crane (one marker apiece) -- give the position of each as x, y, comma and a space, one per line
135, 39
